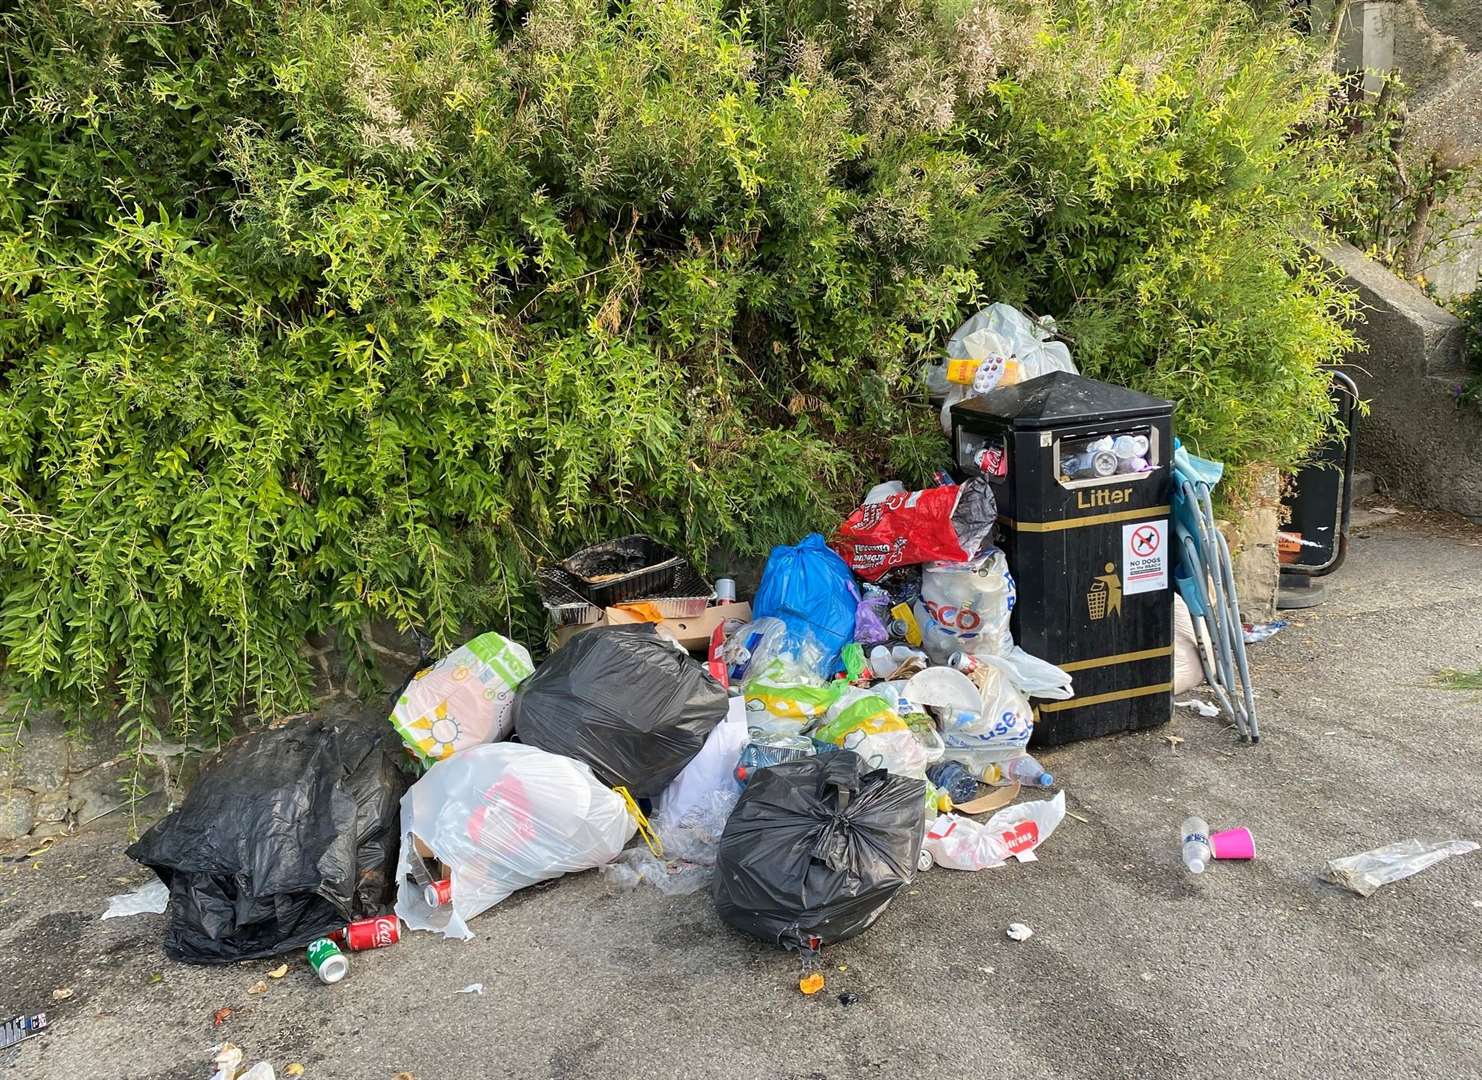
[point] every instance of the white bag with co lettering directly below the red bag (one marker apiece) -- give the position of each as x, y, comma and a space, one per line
966, 607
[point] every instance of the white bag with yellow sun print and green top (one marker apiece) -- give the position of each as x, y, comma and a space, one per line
463, 700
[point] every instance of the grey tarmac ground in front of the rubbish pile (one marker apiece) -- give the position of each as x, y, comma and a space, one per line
1136, 970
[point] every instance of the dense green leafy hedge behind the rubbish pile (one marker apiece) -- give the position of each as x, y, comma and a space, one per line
324, 312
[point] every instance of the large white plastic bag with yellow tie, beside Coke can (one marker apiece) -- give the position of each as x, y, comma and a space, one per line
502, 817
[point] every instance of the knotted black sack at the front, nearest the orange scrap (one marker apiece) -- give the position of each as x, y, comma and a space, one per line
817, 850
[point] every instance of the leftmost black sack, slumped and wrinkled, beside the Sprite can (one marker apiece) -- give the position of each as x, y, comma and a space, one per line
287, 836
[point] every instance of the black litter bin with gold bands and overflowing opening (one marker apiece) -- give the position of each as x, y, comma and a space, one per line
1081, 470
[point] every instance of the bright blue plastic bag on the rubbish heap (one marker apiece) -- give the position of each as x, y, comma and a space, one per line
811, 590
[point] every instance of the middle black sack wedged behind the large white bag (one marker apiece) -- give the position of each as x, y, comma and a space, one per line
623, 700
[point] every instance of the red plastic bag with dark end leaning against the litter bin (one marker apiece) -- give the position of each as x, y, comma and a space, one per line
939, 524
